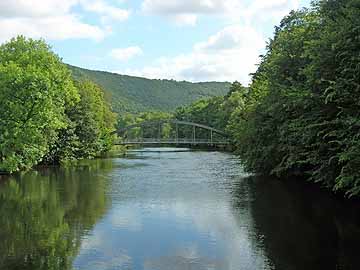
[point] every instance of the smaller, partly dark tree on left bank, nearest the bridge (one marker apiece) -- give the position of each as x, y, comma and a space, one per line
90, 126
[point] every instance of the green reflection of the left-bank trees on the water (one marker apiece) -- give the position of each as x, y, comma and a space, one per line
45, 214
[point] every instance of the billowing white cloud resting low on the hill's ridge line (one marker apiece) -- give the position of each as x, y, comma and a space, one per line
229, 55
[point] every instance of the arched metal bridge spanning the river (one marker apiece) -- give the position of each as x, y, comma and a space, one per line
214, 138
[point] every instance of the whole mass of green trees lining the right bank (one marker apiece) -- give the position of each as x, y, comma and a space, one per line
301, 113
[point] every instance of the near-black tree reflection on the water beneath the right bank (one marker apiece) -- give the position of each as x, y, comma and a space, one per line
301, 227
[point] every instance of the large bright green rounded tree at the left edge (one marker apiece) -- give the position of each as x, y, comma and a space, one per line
35, 89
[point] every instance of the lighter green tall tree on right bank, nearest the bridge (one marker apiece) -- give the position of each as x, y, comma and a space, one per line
276, 96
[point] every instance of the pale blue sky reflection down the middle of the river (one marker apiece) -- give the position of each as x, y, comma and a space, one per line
174, 212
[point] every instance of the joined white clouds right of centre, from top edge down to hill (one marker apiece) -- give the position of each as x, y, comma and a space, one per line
231, 54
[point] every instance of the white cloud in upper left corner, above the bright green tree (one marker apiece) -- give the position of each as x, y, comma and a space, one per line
54, 19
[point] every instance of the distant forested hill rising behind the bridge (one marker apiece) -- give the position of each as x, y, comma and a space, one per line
134, 94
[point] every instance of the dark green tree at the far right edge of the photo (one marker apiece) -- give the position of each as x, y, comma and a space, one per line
333, 75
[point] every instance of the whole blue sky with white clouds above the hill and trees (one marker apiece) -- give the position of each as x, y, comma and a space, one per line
193, 40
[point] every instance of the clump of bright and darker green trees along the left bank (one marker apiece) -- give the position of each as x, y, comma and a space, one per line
41, 109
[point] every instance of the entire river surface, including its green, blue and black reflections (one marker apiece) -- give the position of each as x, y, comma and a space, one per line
160, 209
